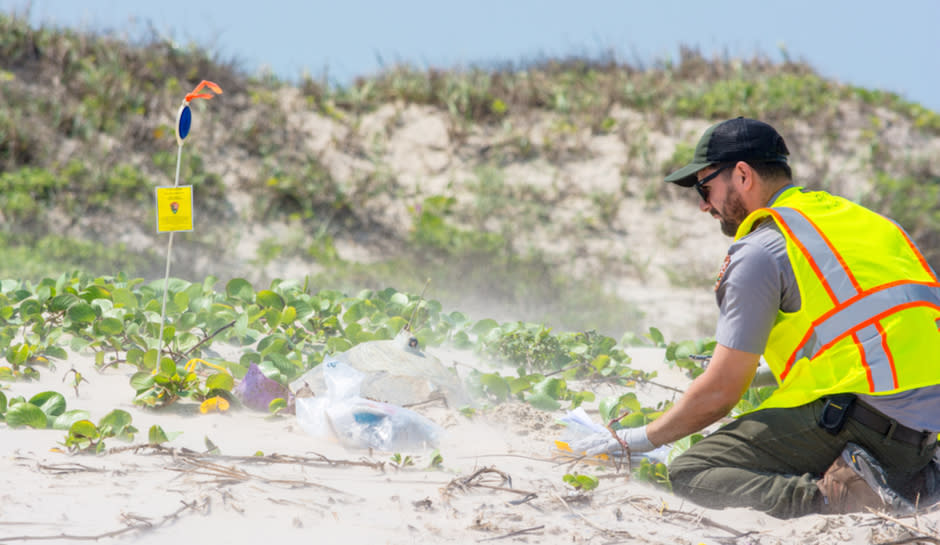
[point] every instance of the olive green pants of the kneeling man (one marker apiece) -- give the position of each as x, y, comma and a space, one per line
770, 460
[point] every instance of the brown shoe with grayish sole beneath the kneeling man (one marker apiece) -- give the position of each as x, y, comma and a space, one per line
856, 482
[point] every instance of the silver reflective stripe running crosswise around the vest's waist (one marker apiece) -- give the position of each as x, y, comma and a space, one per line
866, 308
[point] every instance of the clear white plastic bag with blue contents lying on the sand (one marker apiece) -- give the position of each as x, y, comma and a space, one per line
362, 423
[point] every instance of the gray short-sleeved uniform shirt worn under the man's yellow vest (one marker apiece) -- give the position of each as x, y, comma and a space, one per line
756, 281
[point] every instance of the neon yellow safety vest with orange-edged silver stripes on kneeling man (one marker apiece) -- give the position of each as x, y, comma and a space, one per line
870, 303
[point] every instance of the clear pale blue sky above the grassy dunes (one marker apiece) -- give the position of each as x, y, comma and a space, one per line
893, 46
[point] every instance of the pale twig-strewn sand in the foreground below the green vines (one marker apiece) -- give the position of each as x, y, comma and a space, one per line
501, 480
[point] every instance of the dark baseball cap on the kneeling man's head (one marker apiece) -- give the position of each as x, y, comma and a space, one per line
738, 139
